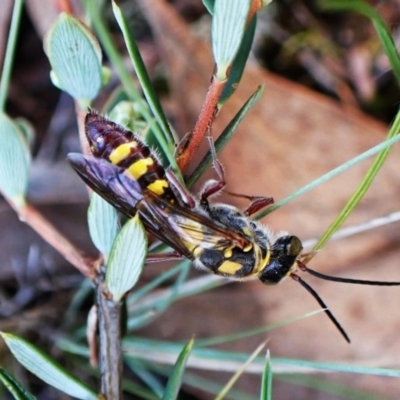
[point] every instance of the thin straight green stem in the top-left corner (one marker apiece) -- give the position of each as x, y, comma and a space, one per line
10, 50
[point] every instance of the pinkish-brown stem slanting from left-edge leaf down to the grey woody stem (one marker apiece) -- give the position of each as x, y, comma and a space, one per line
51, 235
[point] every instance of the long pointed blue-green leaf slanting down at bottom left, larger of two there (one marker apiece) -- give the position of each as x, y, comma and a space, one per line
46, 369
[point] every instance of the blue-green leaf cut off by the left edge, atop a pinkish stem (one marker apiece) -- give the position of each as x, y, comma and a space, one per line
14, 161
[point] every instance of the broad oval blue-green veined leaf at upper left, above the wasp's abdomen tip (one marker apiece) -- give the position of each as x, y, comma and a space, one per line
75, 58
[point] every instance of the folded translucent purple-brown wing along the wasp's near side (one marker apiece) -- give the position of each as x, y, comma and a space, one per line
179, 227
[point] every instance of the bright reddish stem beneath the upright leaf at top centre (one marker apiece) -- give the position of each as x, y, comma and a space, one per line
203, 123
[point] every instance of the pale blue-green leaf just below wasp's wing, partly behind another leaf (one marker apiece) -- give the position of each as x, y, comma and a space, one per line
103, 224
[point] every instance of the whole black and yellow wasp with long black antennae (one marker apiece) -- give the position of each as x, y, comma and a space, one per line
216, 237
